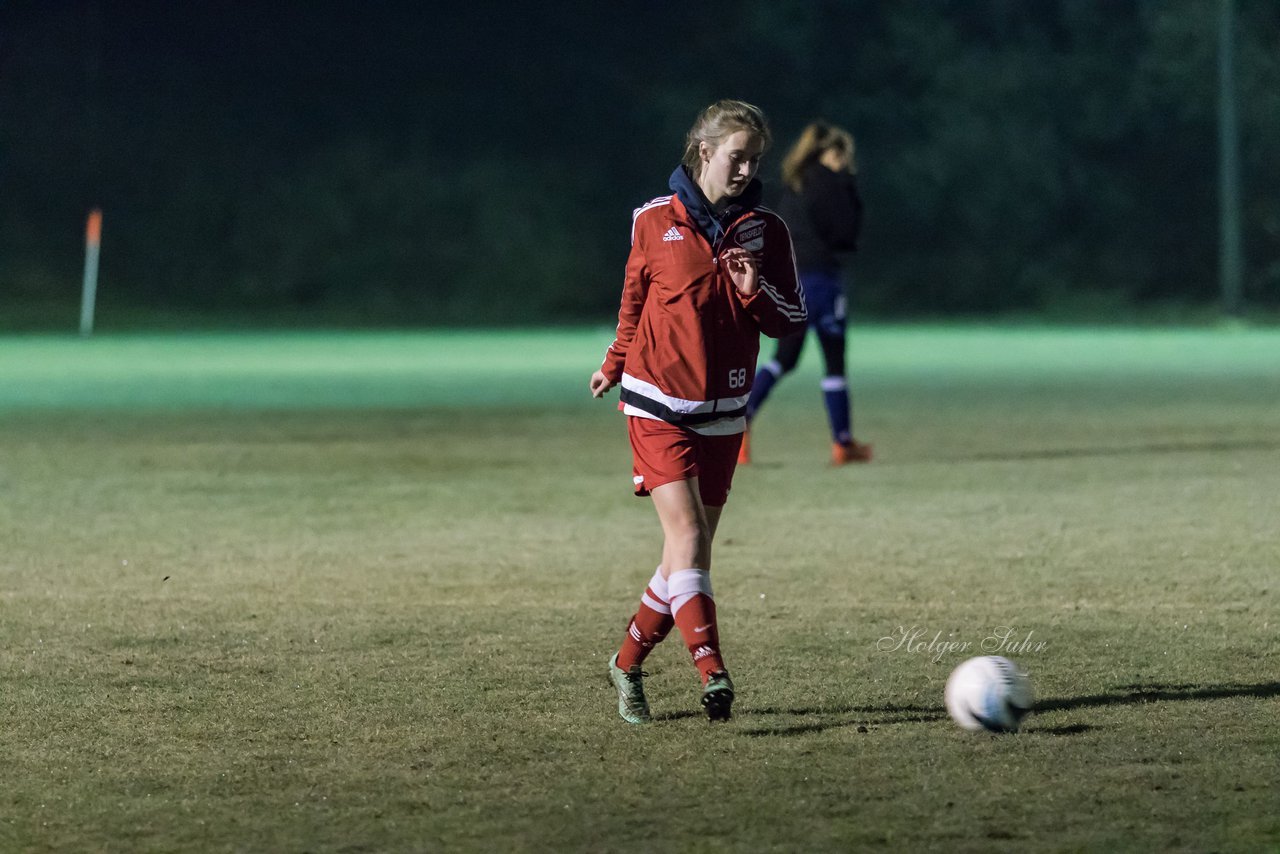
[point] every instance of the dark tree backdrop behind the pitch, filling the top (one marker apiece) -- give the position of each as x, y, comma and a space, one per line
481, 165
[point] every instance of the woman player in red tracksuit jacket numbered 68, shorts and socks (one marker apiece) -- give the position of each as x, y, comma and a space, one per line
710, 271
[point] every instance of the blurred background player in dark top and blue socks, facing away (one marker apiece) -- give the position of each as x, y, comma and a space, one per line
825, 213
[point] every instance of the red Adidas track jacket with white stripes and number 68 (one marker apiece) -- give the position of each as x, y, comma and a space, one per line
688, 340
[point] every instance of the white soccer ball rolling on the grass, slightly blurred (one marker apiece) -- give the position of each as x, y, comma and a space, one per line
989, 693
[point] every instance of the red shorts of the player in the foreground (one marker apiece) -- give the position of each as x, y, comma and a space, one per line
664, 454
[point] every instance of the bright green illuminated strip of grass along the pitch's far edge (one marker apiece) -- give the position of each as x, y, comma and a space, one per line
534, 368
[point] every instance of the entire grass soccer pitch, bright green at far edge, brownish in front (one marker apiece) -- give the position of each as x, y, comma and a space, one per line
356, 593
